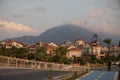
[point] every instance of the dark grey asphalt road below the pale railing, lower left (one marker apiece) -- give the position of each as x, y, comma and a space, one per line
26, 74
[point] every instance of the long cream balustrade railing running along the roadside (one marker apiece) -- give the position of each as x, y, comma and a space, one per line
24, 63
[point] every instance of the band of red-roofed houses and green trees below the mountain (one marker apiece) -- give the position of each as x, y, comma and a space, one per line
70, 52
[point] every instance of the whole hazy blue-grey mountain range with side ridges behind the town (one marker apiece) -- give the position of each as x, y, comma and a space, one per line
63, 33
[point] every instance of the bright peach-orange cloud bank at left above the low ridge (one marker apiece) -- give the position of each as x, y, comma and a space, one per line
14, 30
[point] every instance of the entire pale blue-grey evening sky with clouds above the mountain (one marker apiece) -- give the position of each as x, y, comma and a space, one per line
33, 17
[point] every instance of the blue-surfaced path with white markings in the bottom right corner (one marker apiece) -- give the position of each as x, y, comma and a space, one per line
100, 75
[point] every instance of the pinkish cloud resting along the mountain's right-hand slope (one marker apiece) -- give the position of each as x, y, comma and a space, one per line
104, 27
